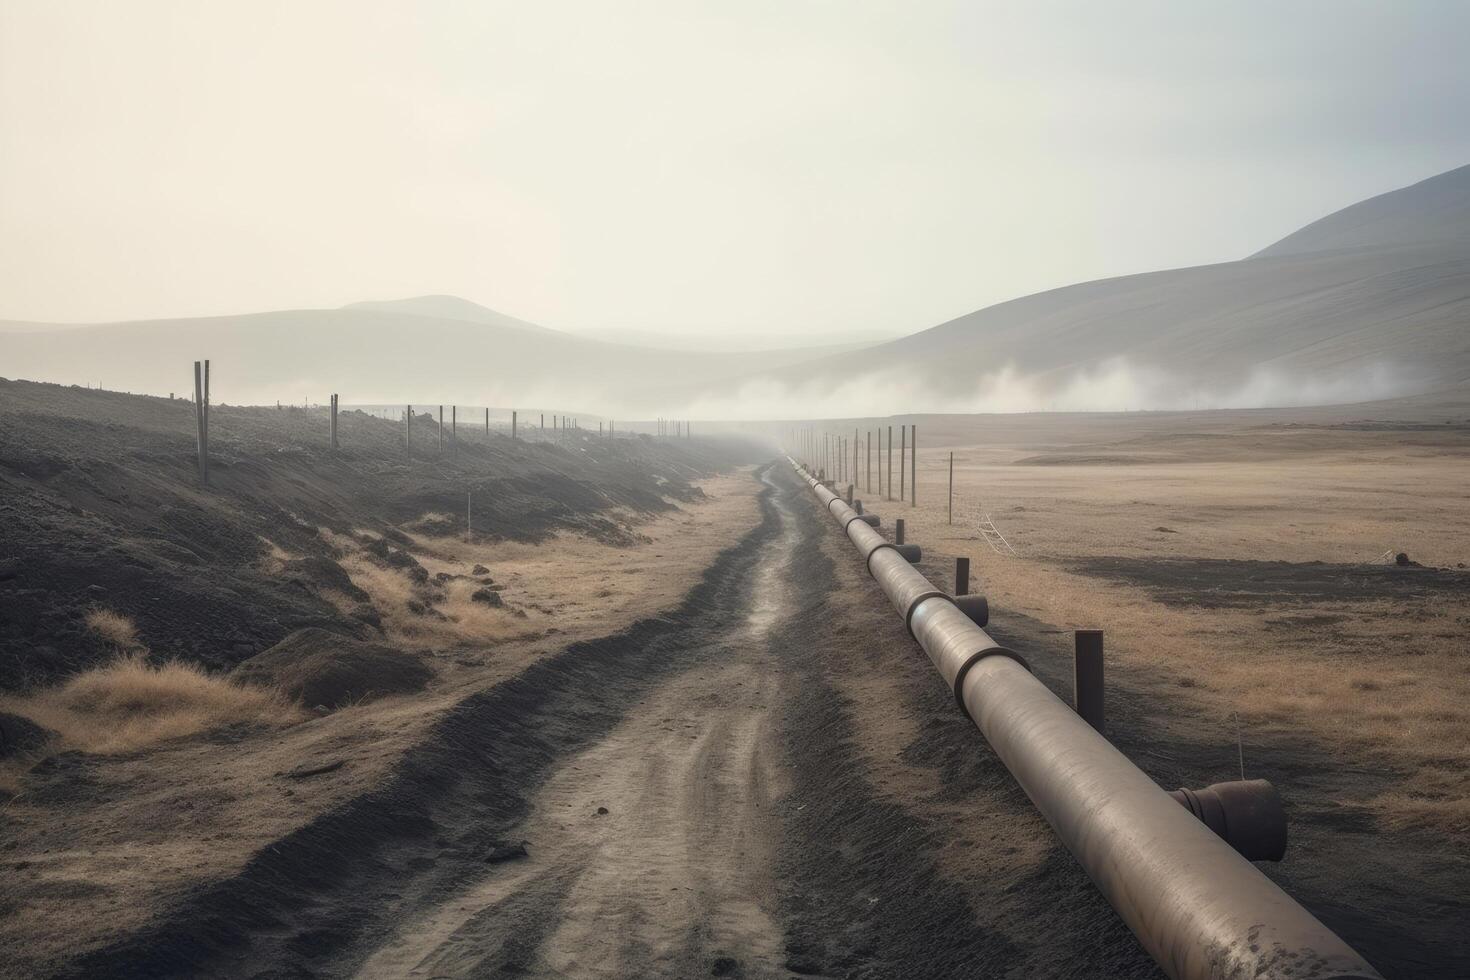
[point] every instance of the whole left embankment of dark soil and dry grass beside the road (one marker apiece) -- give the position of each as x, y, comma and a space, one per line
356, 561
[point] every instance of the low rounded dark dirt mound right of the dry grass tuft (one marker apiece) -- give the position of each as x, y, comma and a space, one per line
321, 668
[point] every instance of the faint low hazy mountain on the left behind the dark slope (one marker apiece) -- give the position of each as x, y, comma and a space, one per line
424, 350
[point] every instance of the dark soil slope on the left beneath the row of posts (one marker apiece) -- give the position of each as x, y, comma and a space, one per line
101, 508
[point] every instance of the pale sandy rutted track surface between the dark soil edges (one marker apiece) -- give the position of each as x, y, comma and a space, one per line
652, 850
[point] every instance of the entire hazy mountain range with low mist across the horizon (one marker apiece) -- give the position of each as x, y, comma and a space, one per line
1372, 302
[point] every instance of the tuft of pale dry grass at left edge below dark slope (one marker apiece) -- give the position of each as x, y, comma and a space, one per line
132, 705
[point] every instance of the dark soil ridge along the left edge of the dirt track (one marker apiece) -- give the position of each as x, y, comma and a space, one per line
320, 901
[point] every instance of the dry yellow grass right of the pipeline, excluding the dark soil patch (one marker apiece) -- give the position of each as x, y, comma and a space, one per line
1385, 682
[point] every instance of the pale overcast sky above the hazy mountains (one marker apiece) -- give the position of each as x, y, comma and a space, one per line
690, 168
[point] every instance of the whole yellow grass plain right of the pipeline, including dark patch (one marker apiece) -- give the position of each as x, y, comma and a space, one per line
1144, 527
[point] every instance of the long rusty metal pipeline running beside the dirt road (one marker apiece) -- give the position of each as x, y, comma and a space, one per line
1202, 910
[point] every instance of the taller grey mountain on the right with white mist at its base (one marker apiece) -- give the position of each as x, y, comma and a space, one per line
1372, 302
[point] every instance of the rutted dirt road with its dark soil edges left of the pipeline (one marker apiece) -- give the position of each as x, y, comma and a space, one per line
767, 782
